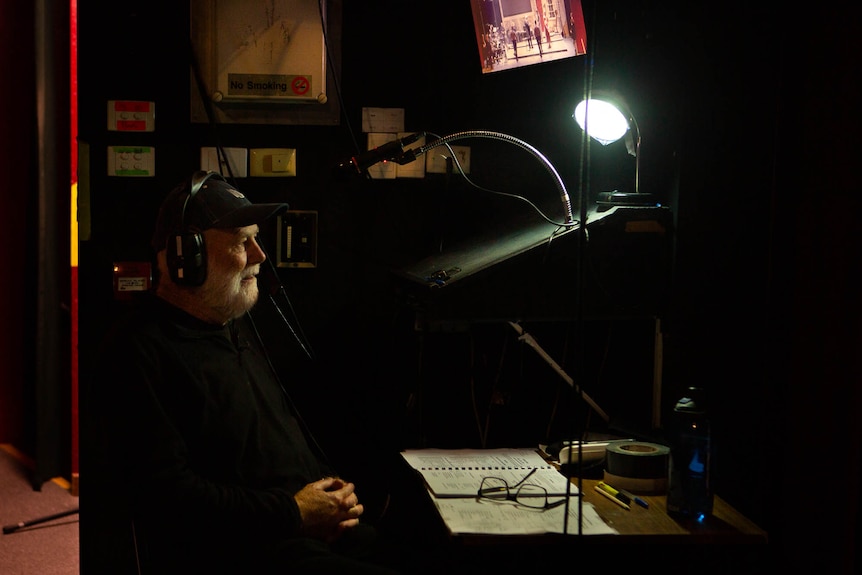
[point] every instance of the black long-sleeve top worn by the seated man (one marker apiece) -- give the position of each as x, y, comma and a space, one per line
203, 430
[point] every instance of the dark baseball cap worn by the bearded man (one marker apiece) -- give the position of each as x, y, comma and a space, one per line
207, 201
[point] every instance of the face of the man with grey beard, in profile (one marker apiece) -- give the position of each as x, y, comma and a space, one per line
233, 262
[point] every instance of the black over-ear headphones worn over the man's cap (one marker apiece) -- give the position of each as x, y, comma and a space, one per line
187, 256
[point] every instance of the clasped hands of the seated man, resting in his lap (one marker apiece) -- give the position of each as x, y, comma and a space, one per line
328, 507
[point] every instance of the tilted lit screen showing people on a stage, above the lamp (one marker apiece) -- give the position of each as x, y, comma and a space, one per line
516, 33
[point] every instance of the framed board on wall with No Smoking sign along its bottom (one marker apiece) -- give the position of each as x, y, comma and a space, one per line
263, 61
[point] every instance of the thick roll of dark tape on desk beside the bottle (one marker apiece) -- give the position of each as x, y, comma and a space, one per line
637, 467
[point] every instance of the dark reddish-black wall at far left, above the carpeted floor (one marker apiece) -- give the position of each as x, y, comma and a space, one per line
35, 389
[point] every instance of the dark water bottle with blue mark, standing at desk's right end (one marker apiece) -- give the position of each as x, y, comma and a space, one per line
690, 493
